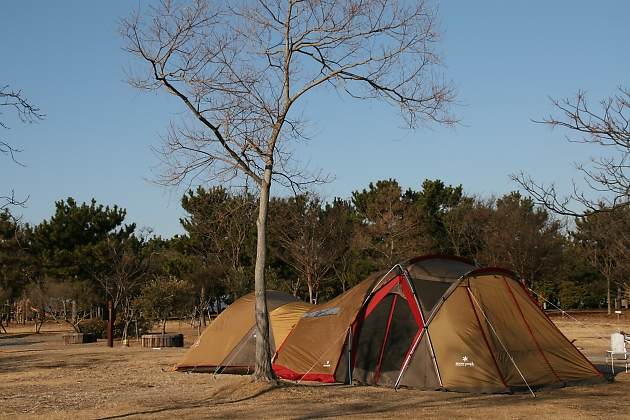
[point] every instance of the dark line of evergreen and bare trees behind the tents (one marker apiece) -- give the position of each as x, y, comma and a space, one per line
69, 266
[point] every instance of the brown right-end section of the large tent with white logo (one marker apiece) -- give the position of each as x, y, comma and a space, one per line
490, 336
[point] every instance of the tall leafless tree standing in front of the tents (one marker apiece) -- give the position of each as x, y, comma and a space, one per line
242, 68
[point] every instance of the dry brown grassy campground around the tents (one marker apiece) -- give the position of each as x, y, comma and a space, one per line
40, 377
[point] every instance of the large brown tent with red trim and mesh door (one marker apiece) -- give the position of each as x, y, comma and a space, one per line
434, 322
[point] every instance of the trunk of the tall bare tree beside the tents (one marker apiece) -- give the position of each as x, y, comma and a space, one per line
263, 371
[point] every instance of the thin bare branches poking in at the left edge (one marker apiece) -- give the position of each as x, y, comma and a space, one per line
28, 114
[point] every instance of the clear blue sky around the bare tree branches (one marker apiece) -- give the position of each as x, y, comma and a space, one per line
506, 57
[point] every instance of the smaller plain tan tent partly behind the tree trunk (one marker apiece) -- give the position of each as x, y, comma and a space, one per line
228, 344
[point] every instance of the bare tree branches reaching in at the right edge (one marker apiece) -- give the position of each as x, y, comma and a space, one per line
609, 128
